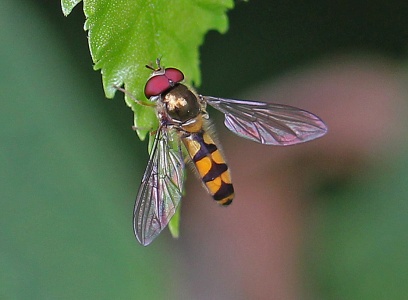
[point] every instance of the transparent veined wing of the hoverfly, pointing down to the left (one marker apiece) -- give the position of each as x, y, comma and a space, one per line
161, 188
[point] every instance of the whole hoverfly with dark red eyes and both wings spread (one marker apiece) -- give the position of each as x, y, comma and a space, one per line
184, 128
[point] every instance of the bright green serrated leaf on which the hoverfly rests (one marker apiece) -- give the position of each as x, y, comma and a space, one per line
126, 35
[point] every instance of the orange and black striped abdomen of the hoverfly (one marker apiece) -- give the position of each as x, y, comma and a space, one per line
210, 165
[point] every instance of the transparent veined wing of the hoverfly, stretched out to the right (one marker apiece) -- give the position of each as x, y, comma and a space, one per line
267, 123
